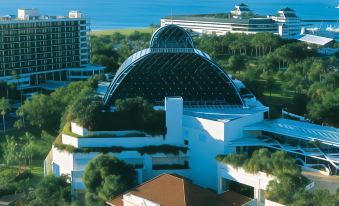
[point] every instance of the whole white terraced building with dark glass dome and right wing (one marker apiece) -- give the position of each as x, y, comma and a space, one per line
207, 121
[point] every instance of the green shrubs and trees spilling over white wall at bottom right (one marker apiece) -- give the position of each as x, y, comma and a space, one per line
288, 185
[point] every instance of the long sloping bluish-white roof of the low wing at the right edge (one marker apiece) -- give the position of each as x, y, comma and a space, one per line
297, 129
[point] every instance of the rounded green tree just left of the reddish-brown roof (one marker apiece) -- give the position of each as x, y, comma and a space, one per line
106, 176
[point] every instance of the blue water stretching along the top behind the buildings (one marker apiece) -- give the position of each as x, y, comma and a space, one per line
107, 14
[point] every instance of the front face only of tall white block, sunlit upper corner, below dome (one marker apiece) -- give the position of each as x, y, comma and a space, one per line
205, 140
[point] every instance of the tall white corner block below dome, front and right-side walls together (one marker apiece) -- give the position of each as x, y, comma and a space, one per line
209, 138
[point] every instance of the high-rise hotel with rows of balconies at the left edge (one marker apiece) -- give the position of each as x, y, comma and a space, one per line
37, 48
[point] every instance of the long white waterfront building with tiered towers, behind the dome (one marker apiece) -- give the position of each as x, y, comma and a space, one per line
240, 20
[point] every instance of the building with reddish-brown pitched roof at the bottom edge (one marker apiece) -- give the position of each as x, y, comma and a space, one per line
172, 190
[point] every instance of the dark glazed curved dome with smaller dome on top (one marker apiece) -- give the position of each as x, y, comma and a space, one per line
173, 67
